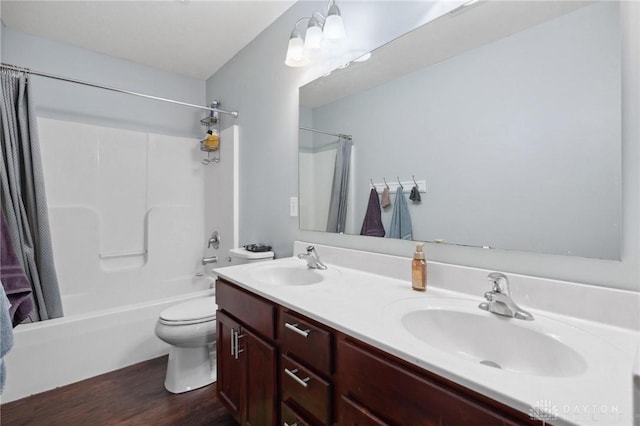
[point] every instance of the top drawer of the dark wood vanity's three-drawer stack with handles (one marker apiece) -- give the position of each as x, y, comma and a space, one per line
308, 343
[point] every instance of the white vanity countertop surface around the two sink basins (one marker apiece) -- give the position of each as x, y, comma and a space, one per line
365, 305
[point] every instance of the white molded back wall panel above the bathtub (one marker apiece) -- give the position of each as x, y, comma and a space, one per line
126, 210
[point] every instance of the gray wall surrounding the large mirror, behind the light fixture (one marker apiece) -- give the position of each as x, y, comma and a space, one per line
265, 91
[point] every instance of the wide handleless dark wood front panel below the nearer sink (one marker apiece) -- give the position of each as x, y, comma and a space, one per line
396, 395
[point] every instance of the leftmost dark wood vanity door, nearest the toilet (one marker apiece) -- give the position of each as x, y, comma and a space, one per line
231, 369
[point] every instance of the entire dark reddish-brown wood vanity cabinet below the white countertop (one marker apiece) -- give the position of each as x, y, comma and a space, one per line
305, 373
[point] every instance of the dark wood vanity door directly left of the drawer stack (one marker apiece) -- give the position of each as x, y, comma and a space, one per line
261, 379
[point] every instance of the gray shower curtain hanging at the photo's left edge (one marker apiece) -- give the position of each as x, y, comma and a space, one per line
23, 198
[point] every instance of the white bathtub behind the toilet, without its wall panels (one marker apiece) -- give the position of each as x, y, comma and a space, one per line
92, 338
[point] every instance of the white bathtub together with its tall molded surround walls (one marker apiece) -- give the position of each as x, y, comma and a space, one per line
115, 284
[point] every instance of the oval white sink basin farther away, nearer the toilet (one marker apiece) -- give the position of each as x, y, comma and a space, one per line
290, 274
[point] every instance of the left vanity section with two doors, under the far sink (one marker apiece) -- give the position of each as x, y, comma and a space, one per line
246, 355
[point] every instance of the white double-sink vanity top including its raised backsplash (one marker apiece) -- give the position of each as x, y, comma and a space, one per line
594, 329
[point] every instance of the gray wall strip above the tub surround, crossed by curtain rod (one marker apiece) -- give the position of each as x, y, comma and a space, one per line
65, 101
